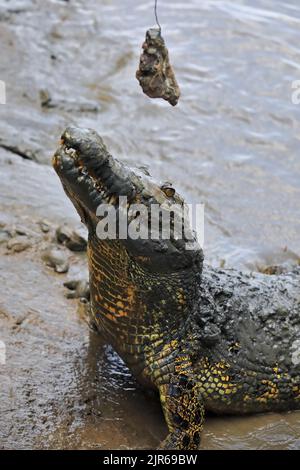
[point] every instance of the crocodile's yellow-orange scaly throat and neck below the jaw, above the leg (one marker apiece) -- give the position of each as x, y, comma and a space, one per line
137, 311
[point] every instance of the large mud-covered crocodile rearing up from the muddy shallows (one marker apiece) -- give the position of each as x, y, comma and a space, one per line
206, 339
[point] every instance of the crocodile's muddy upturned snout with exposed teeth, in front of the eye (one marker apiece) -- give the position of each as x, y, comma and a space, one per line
85, 166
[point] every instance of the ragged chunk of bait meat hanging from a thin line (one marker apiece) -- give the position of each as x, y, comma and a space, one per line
155, 73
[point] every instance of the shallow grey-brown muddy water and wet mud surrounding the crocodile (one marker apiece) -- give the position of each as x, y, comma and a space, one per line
232, 142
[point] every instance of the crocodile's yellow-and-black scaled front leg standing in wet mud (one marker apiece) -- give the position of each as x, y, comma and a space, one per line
184, 413
